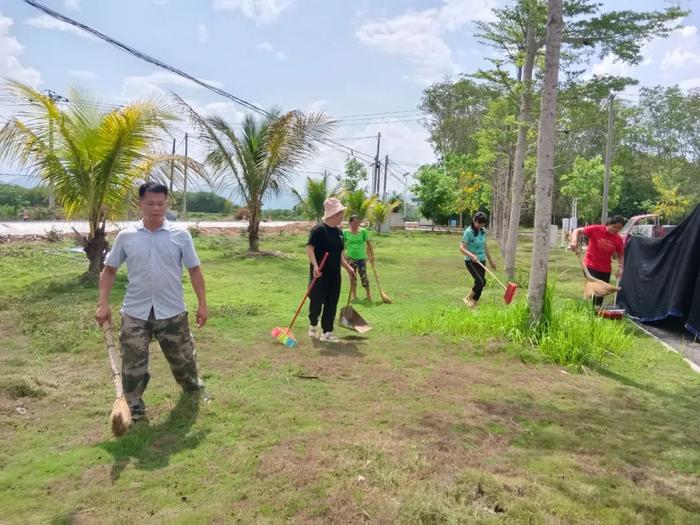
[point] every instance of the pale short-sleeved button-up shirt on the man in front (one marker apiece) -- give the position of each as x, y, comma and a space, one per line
154, 261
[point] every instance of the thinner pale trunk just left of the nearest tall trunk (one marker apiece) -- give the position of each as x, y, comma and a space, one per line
520, 150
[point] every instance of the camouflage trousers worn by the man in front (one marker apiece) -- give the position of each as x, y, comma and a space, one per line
175, 340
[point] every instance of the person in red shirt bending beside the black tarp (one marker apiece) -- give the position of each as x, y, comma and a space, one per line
604, 243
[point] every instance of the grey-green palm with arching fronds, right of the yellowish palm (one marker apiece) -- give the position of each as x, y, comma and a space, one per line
260, 160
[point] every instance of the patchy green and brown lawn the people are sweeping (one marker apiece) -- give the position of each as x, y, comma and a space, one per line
397, 426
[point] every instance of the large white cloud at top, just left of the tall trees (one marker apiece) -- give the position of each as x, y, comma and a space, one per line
419, 35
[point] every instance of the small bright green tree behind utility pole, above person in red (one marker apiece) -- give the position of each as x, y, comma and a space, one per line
585, 182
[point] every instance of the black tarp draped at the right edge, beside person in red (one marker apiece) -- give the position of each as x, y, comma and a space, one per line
662, 276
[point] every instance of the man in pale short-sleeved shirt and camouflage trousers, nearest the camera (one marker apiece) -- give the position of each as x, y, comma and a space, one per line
154, 306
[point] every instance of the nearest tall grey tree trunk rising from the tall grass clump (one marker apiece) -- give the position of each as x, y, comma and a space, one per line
545, 162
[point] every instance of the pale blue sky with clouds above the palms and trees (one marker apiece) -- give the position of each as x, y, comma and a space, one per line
349, 58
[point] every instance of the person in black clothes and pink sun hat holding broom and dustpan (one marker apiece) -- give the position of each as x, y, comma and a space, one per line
326, 237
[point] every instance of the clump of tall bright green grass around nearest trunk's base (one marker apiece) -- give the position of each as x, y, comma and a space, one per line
568, 333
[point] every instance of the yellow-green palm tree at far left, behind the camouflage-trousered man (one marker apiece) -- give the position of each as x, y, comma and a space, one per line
92, 158
